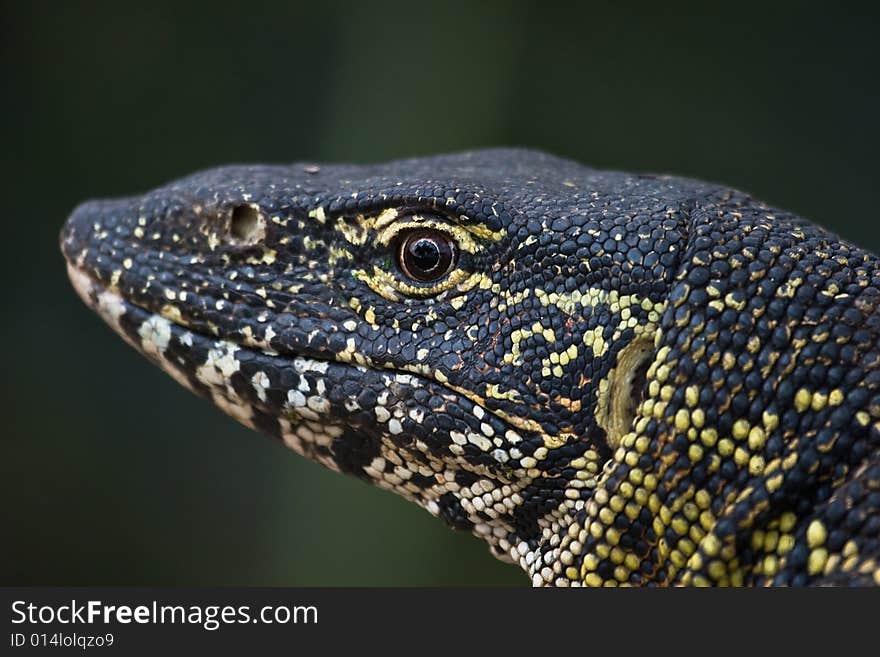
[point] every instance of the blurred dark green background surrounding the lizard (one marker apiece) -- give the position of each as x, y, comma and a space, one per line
113, 474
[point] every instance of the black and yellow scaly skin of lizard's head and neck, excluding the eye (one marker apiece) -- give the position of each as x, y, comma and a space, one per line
622, 379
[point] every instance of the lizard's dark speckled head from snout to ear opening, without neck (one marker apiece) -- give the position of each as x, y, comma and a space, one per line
470, 331
